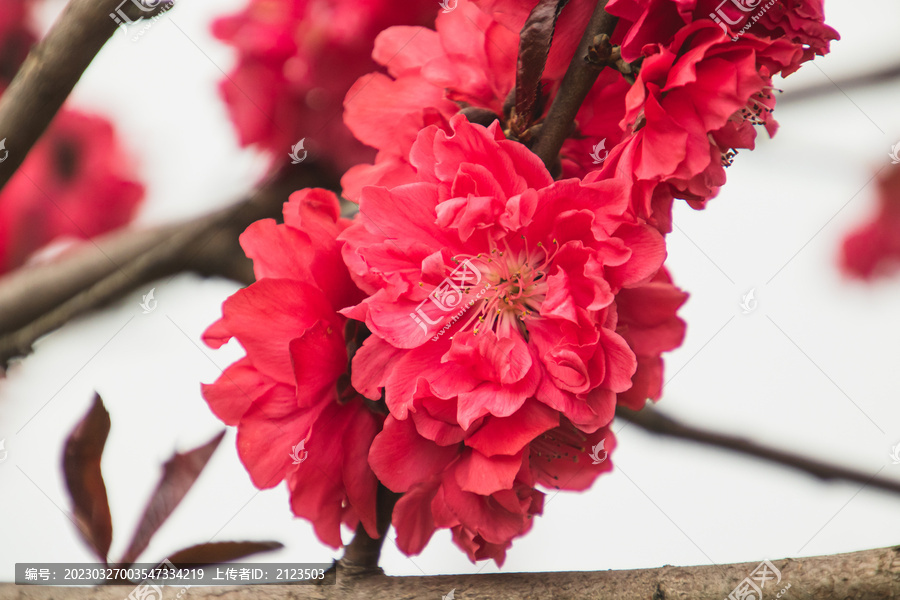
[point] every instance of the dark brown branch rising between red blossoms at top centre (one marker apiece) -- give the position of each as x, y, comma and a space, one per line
577, 82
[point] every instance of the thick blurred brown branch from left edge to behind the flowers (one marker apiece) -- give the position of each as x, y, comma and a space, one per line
88, 279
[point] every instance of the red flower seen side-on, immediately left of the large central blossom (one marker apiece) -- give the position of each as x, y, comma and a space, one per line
291, 386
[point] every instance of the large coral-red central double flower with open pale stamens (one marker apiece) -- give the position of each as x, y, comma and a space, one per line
519, 272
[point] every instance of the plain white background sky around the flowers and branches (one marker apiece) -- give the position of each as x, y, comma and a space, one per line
813, 369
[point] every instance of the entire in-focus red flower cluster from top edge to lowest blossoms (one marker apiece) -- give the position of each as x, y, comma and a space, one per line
481, 317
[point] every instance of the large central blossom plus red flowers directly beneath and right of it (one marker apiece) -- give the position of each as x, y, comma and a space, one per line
538, 285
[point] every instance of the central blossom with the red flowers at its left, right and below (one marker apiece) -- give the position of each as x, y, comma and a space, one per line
554, 305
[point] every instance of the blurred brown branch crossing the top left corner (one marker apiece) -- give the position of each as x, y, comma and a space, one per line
52, 69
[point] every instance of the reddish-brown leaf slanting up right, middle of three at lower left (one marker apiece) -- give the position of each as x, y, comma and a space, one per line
179, 474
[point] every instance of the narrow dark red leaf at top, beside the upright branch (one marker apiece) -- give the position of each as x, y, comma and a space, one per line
534, 46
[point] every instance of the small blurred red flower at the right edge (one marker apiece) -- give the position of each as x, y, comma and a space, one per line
874, 249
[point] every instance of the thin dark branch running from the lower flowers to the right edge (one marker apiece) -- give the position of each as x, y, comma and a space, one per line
652, 420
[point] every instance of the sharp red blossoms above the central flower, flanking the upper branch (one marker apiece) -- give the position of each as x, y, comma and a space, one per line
700, 91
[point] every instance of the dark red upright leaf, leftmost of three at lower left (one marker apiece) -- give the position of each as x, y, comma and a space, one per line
84, 480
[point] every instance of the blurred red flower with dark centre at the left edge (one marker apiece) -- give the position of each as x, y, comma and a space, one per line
73, 183
